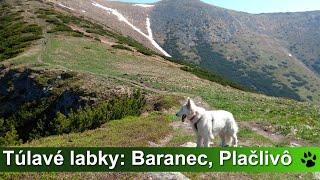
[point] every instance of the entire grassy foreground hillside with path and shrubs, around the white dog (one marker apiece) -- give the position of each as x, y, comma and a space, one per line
79, 56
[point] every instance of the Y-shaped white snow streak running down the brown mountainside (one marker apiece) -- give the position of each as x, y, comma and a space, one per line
123, 19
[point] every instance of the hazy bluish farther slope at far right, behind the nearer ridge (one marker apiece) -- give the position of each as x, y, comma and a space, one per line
299, 35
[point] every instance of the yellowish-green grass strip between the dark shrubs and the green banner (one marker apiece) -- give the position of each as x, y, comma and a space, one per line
127, 132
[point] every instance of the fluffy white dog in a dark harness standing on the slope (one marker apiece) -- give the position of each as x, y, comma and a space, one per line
208, 124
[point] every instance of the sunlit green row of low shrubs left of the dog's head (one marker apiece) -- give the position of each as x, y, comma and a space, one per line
93, 117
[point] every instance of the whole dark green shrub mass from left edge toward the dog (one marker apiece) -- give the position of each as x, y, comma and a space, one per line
58, 111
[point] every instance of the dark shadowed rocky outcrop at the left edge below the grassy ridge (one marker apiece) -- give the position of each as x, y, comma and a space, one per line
30, 100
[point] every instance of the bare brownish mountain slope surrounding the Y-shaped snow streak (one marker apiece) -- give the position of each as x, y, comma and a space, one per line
135, 14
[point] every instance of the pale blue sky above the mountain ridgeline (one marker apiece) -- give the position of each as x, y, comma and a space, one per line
259, 6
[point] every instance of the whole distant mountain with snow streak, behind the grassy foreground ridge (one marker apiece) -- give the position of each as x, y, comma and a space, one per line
276, 54
